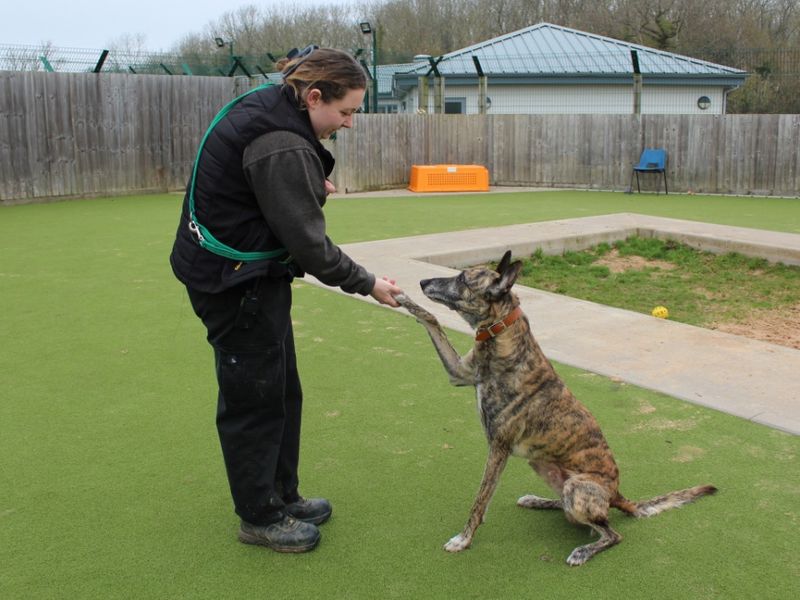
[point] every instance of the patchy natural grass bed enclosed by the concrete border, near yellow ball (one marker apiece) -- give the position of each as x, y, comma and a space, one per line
699, 288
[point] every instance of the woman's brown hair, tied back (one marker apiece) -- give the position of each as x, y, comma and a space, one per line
332, 72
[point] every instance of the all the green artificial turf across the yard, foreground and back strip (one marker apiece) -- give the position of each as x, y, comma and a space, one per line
112, 483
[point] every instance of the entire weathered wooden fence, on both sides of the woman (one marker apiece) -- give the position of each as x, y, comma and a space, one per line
80, 134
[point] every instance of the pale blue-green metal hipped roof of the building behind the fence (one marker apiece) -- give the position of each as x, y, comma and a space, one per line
547, 52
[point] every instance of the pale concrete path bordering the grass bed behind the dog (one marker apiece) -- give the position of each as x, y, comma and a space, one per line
747, 378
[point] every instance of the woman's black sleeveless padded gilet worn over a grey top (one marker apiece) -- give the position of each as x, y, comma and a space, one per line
224, 202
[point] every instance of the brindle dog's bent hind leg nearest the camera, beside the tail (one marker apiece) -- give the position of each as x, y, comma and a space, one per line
586, 502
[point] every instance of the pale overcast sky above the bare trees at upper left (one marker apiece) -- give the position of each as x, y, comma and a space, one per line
97, 23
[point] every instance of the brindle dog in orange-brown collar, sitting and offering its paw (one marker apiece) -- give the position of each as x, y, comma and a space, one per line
527, 411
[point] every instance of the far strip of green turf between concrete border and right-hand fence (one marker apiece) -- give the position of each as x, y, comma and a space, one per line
363, 219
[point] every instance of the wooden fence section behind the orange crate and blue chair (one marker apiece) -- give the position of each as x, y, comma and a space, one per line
727, 154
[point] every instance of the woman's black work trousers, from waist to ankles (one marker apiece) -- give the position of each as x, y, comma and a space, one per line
260, 400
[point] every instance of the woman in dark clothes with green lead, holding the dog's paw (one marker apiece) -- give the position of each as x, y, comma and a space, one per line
252, 220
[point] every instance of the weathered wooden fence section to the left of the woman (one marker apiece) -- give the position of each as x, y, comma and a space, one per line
81, 134
